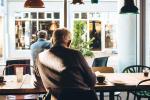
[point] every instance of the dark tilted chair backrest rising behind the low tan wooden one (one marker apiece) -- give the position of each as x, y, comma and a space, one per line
102, 61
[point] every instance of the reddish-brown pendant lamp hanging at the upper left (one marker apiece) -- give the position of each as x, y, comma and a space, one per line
34, 4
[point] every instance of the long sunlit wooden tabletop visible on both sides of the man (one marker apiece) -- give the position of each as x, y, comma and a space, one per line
130, 80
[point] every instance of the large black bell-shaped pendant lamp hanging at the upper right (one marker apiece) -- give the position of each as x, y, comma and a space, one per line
129, 7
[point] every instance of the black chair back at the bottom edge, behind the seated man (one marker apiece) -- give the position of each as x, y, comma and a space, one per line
77, 94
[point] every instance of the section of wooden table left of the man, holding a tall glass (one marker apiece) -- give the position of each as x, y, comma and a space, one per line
12, 87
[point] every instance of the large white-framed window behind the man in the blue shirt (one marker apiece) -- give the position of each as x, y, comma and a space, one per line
27, 24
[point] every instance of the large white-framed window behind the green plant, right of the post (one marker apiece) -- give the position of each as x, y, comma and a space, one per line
100, 27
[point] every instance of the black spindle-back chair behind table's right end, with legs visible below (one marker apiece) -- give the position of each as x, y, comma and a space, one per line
135, 69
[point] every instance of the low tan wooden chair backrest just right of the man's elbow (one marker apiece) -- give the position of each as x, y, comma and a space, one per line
103, 69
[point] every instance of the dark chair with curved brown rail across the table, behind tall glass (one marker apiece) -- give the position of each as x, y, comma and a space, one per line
10, 69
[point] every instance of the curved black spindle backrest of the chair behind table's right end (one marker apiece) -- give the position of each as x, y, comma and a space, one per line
135, 69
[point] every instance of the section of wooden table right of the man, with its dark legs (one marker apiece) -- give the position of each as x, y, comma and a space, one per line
121, 82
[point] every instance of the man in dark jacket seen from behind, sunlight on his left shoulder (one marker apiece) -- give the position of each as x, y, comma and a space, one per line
63, 68
